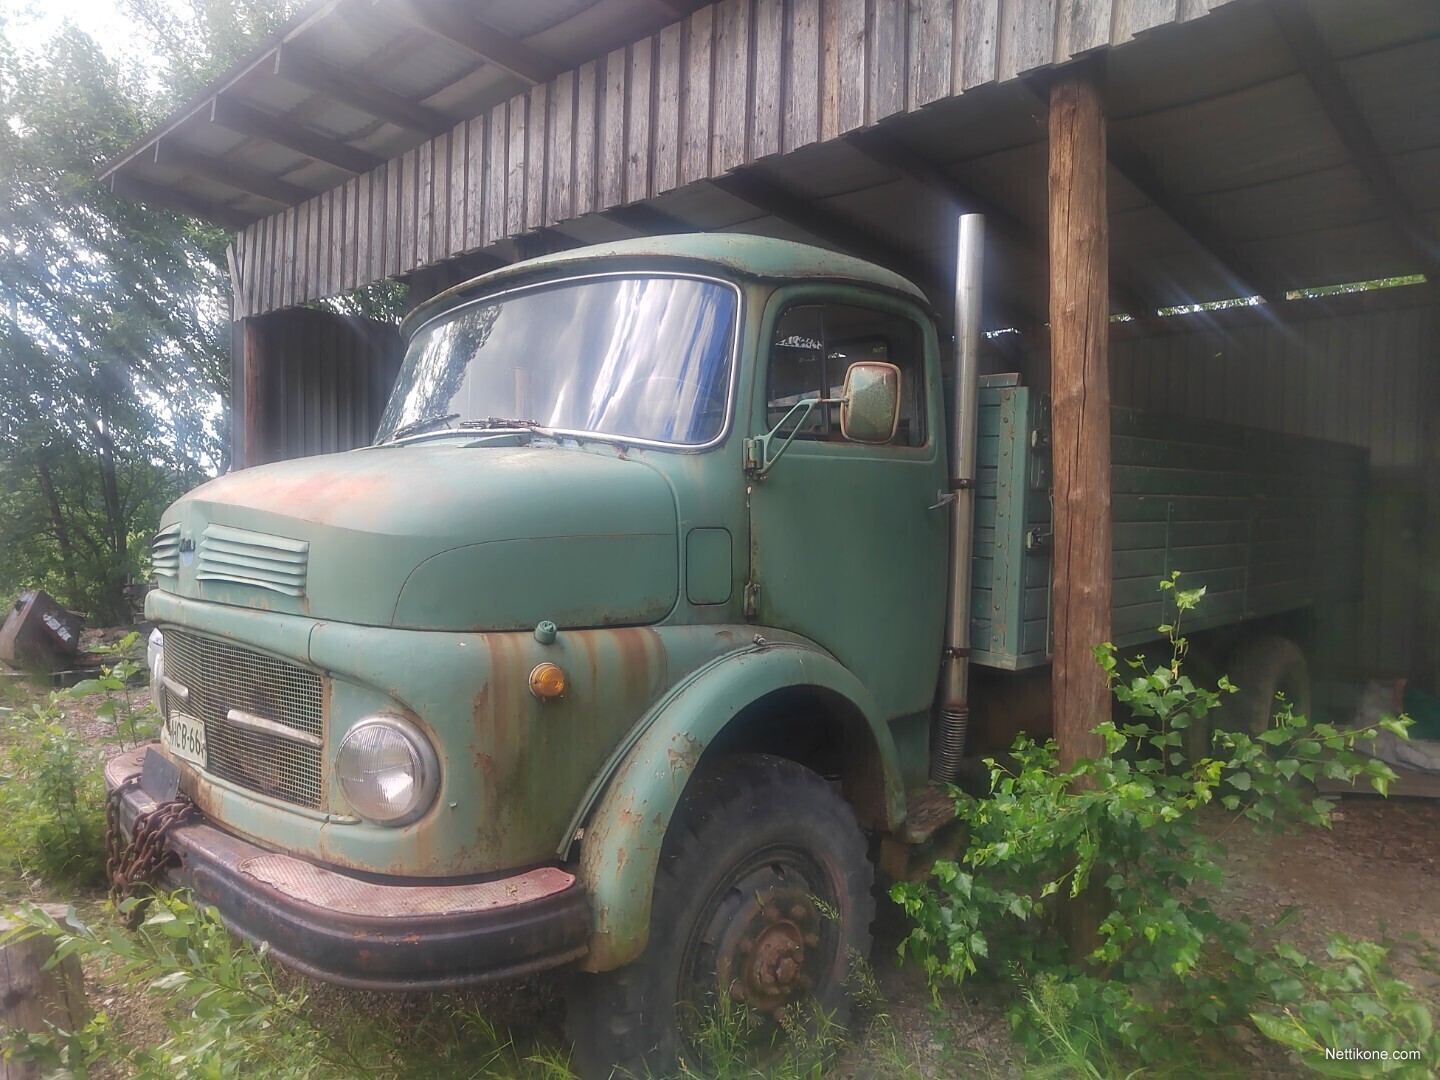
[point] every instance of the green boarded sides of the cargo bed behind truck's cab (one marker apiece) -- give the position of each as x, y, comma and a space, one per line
1265, 522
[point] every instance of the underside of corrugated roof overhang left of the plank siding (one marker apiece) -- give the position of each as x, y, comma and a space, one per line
349, 84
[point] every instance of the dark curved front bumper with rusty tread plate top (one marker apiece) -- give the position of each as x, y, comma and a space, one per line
372, 935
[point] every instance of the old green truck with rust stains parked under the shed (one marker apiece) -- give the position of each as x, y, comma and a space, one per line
644, 626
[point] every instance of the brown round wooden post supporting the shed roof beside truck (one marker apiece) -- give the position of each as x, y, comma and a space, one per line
1081, 410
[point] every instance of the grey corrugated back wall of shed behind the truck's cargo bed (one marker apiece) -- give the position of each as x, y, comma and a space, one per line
1372, 379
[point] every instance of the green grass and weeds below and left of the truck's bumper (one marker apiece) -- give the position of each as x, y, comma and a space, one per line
186, 1000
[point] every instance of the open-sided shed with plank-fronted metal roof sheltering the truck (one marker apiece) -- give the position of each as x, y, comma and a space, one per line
1254, 150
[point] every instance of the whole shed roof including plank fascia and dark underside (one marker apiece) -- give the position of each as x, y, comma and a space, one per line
1233, 169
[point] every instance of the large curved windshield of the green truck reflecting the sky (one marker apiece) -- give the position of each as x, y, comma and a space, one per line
640, 358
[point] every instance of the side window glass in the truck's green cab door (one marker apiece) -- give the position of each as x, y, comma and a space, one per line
816, 345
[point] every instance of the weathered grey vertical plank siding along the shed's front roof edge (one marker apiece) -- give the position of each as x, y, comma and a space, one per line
729, 86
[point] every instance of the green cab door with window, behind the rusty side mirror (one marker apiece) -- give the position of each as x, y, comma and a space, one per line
845, 546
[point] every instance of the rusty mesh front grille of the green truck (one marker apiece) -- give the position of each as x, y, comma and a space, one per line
222, 678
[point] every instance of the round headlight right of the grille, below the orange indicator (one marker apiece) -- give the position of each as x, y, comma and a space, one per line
388, 771
